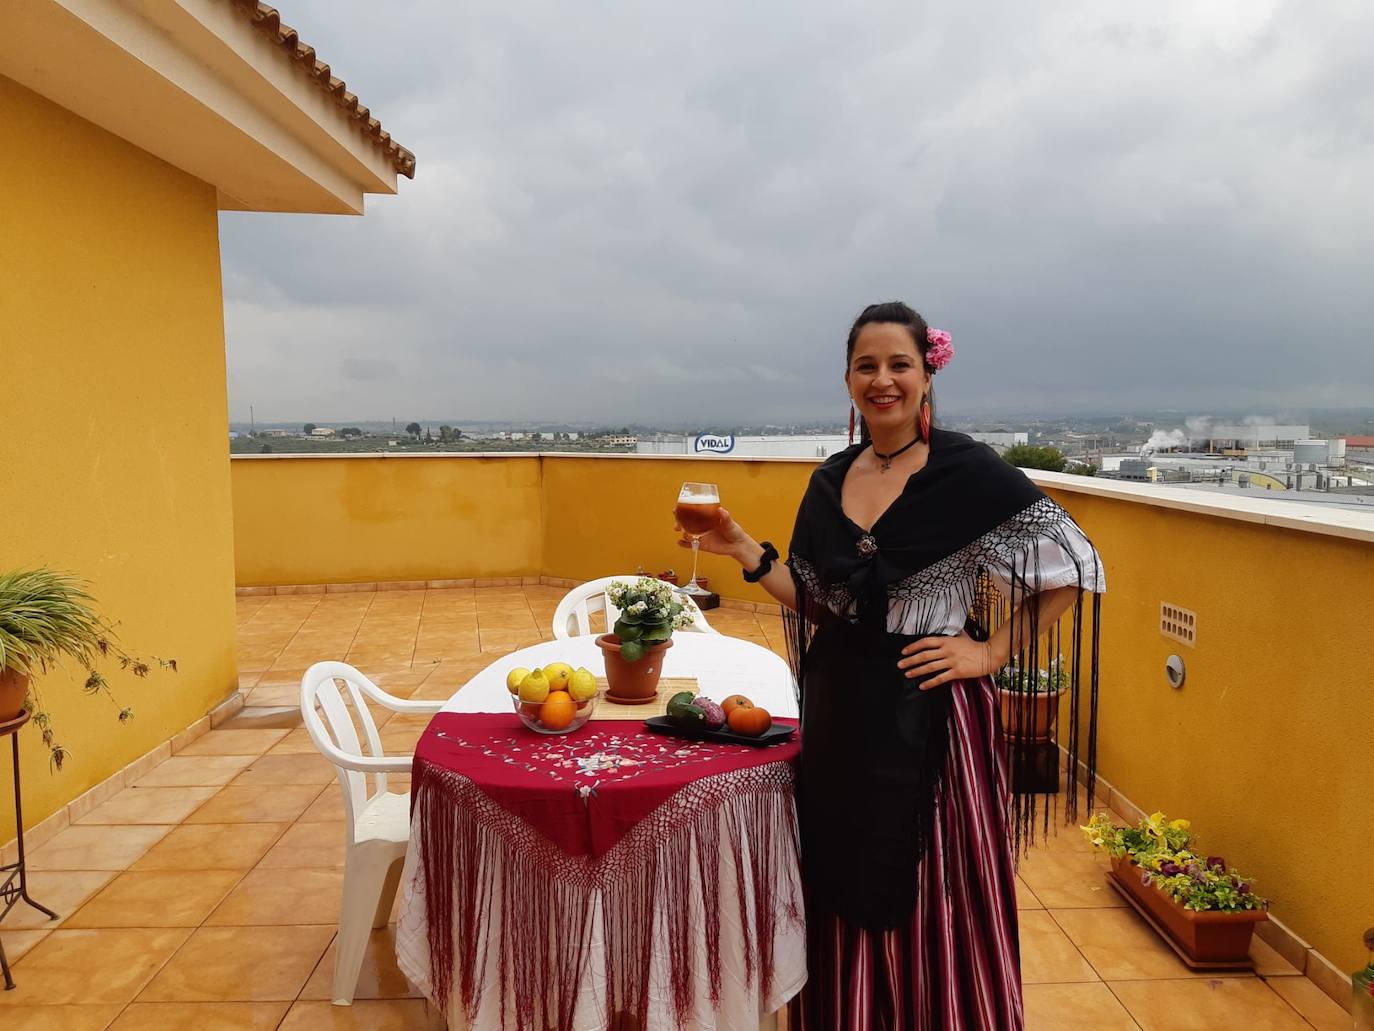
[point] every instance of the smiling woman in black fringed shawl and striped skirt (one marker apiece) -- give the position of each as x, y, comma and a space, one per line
908, 830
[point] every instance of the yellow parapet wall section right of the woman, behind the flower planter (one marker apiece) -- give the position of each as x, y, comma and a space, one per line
1269, 747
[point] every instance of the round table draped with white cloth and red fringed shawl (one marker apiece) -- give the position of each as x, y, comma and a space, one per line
475, 831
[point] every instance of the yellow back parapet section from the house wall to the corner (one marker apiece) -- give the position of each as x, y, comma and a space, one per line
368, 519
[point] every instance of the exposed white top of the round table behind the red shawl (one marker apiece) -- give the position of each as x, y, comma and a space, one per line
723, 666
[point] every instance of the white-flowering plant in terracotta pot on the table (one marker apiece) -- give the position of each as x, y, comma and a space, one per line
649, 615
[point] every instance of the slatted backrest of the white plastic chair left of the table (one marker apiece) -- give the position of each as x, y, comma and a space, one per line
340, 738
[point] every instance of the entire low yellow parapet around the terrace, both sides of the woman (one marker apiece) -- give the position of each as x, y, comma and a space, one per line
1268, 749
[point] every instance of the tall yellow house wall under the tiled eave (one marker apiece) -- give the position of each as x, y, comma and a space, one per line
113, 424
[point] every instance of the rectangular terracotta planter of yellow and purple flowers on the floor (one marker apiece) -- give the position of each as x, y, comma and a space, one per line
1207, 911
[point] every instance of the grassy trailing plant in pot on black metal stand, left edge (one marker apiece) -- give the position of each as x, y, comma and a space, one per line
47, 618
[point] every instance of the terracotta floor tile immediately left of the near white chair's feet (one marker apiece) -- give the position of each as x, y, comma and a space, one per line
241, 964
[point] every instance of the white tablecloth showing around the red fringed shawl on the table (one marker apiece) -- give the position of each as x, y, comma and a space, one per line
723, 666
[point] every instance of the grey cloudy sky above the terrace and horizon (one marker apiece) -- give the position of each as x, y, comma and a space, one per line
631, 211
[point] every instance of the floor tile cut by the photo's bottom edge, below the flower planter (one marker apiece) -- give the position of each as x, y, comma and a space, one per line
1207, 1004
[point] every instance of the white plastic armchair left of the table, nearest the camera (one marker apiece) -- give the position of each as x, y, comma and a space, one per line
377, 823
